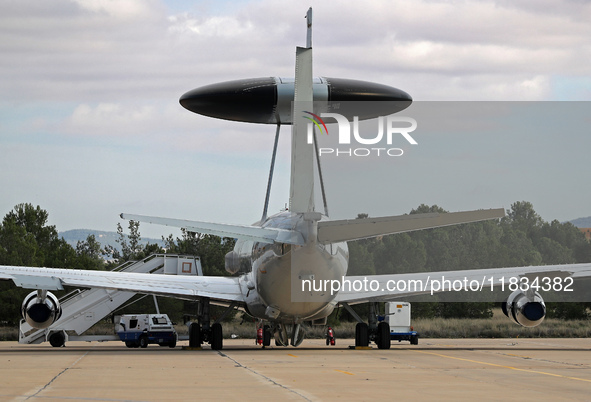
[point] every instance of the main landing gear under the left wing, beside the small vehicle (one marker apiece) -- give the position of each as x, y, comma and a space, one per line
203, 331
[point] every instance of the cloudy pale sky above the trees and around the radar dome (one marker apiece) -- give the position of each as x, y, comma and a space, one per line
90, 124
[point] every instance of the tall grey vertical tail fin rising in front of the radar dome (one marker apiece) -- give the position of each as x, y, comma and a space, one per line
301, 197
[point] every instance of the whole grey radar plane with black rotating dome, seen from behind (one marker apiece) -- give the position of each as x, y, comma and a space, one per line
275, 258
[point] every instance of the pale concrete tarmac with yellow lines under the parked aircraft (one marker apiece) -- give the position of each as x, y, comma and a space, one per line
441, 369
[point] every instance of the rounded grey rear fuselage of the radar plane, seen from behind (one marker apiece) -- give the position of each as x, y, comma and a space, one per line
272, 274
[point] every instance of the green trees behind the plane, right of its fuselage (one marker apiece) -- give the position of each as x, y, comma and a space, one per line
521, 238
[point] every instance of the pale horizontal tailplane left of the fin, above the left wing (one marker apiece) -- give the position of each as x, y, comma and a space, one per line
254, 233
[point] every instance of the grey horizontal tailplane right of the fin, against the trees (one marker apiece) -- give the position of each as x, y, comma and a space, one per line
355, 229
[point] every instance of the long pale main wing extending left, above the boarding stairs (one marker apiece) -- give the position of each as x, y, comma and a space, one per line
214, 287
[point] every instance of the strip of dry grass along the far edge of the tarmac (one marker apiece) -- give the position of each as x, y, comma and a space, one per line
498, 326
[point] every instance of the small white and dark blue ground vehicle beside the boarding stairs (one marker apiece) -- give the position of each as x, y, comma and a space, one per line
140, 330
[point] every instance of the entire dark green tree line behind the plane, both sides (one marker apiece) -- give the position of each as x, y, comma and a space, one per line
521, 238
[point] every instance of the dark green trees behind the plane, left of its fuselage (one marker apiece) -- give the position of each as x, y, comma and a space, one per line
26, 239
